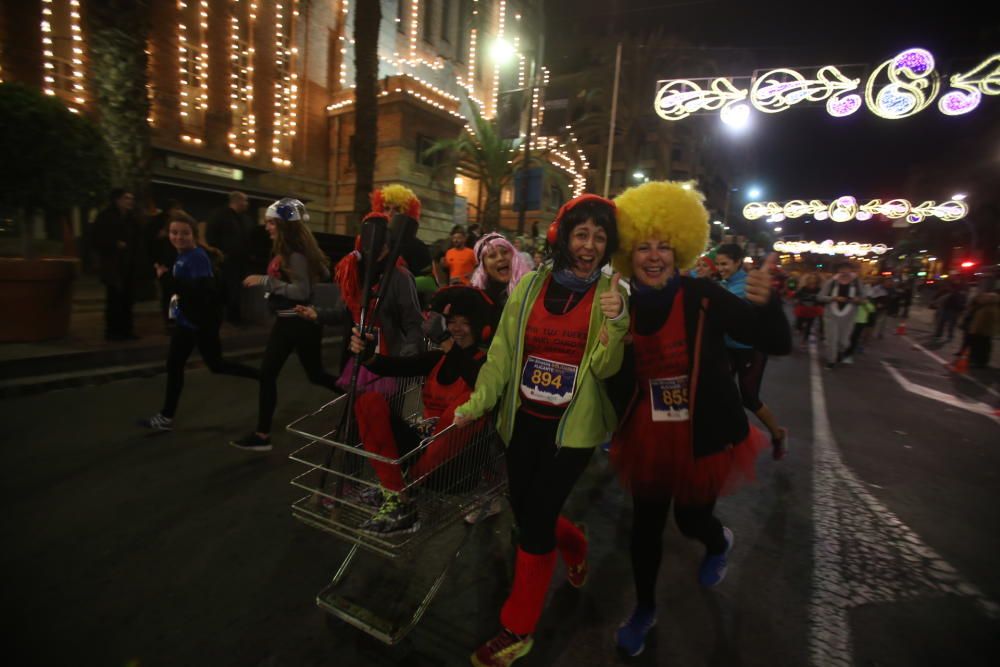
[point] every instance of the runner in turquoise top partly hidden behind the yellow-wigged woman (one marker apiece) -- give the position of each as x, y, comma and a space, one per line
748, 363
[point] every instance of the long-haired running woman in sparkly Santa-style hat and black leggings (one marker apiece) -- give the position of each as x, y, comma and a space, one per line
298, 264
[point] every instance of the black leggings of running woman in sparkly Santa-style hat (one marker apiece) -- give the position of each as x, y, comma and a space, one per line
289, 334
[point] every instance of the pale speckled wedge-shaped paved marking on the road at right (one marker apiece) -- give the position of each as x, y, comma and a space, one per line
862, 553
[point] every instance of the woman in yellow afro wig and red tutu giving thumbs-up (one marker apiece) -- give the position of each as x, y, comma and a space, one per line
684, 437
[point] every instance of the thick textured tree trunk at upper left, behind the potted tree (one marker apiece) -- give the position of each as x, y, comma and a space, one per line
117, 31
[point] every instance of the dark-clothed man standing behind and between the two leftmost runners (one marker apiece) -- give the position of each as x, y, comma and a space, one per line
229, 232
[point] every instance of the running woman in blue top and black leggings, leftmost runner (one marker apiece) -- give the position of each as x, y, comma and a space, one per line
195, 305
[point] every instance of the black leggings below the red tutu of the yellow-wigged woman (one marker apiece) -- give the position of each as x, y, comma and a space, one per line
649, 518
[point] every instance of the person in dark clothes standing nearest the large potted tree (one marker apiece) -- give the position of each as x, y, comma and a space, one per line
117, 237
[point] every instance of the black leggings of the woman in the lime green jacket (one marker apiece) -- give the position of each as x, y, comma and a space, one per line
540, 478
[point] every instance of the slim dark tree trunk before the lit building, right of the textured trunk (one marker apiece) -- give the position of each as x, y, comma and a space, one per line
367, 19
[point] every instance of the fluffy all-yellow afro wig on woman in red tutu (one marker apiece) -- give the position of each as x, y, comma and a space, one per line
667, 211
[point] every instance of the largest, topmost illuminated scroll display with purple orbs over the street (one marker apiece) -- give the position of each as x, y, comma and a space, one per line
898, 88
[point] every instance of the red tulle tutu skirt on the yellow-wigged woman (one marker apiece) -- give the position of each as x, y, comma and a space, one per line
655, 459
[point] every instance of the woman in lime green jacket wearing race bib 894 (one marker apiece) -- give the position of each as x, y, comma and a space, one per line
560, 336
